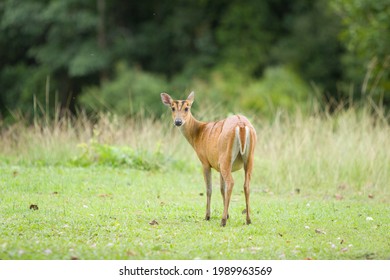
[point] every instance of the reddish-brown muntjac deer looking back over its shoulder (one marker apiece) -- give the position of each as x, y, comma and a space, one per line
226, 145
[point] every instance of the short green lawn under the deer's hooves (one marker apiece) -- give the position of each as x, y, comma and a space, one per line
116, 213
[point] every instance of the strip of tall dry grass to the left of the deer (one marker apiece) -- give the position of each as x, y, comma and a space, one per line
58, 141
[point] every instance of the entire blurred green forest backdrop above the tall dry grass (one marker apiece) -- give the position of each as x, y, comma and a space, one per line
258, 55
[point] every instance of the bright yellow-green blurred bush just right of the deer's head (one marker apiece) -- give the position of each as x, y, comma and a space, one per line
280, 88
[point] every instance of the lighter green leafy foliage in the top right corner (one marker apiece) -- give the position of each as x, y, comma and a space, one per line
366, 37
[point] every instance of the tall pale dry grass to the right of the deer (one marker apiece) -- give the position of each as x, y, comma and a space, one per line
339, 154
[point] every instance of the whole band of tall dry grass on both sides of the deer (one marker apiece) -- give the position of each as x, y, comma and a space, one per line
345, 153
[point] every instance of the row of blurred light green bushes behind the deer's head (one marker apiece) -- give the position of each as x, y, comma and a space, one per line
133, 91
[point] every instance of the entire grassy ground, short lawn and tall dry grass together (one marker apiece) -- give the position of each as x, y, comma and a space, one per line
134, 190
